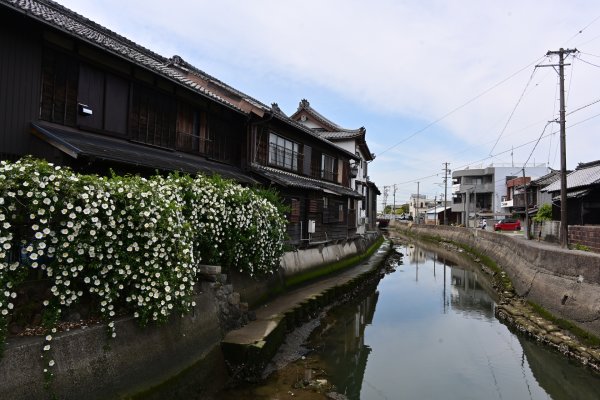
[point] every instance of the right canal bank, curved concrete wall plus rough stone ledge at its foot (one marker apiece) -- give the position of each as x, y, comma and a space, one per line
564, 282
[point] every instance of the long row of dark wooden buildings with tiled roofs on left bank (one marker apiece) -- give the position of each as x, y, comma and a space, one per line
78, 94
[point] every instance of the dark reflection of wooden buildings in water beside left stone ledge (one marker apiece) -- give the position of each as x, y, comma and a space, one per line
340, 344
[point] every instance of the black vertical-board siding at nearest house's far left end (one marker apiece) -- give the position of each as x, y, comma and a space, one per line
20, 59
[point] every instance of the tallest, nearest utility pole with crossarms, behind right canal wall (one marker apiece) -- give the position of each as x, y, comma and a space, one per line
564, 229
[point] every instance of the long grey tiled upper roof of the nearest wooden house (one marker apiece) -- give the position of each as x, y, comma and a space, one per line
57, 16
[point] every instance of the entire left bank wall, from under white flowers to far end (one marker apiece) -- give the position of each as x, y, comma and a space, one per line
90, 365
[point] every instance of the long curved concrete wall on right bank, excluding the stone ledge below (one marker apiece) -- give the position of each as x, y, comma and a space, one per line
565, 282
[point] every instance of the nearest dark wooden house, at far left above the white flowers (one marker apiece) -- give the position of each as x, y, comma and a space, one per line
78, 94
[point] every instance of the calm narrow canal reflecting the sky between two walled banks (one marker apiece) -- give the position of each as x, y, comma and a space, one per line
427, 331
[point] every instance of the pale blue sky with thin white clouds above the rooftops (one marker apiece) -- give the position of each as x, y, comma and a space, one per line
463, 82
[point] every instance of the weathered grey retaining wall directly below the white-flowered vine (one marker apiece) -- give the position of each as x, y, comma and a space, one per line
91, 366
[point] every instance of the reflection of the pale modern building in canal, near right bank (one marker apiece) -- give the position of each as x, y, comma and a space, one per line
467, 295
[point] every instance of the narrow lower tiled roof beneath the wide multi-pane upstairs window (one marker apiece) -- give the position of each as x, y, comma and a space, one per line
289, 179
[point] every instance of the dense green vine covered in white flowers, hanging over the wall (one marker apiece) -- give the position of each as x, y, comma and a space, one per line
126, 242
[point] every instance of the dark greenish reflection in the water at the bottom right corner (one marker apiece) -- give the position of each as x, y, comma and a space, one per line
561, 379
